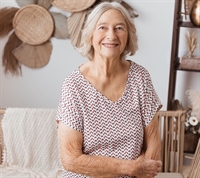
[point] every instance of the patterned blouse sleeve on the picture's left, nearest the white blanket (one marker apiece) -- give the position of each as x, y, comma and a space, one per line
67, 110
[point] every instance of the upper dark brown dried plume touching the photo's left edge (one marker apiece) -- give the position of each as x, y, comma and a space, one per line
6, 18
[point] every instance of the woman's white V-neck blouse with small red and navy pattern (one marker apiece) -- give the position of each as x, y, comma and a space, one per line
113, 129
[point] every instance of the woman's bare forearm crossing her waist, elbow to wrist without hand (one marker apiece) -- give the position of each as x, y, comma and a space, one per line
99, 166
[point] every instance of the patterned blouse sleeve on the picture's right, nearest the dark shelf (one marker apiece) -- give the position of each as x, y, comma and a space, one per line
150, 100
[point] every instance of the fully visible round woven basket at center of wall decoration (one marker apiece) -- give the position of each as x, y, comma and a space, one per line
33, 24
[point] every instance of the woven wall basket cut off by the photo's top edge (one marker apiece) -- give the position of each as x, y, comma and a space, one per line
73, 5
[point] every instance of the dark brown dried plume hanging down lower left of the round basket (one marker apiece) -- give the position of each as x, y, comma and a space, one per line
10, 63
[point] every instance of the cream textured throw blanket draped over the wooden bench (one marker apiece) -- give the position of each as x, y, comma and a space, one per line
31, 144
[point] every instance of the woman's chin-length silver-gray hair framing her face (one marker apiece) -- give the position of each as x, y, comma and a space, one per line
85, 47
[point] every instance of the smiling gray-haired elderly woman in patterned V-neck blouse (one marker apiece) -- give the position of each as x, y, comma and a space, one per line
106, 111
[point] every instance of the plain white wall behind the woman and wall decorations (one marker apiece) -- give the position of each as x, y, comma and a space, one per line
41, 87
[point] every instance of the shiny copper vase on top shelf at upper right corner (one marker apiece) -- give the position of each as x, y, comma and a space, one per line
195, 13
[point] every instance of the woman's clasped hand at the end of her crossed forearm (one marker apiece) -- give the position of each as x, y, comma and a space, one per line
147, 168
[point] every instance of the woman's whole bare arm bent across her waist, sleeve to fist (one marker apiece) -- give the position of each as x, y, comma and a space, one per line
98, 166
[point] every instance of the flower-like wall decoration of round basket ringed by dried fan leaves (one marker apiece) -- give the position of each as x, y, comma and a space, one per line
32, 27
